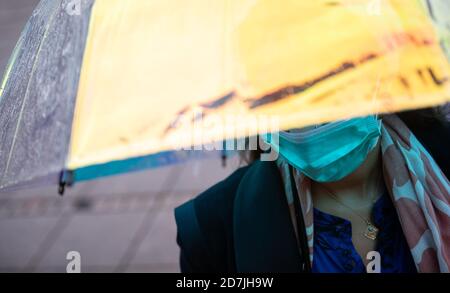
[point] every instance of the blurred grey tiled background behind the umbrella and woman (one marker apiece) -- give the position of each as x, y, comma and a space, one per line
118, 224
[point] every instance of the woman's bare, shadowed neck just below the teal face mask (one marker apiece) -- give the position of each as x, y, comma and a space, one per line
364, 181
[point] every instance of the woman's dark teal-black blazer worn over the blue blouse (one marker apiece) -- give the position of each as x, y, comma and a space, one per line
243, 224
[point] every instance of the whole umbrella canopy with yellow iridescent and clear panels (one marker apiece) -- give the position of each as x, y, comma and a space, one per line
102, 87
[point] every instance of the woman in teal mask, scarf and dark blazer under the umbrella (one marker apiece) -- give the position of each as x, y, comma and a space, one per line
337, 193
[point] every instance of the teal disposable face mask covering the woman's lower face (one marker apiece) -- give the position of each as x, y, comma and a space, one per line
332, 151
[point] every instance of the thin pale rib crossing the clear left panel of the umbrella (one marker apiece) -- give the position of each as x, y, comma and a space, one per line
27, 94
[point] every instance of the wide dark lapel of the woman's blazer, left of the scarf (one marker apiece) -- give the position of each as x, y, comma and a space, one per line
264, 238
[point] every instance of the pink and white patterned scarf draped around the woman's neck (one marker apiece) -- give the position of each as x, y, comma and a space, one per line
419, 191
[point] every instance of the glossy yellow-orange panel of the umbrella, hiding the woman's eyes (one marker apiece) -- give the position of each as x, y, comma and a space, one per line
148, 63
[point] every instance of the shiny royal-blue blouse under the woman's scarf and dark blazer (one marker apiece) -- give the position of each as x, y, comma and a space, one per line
334, 251
